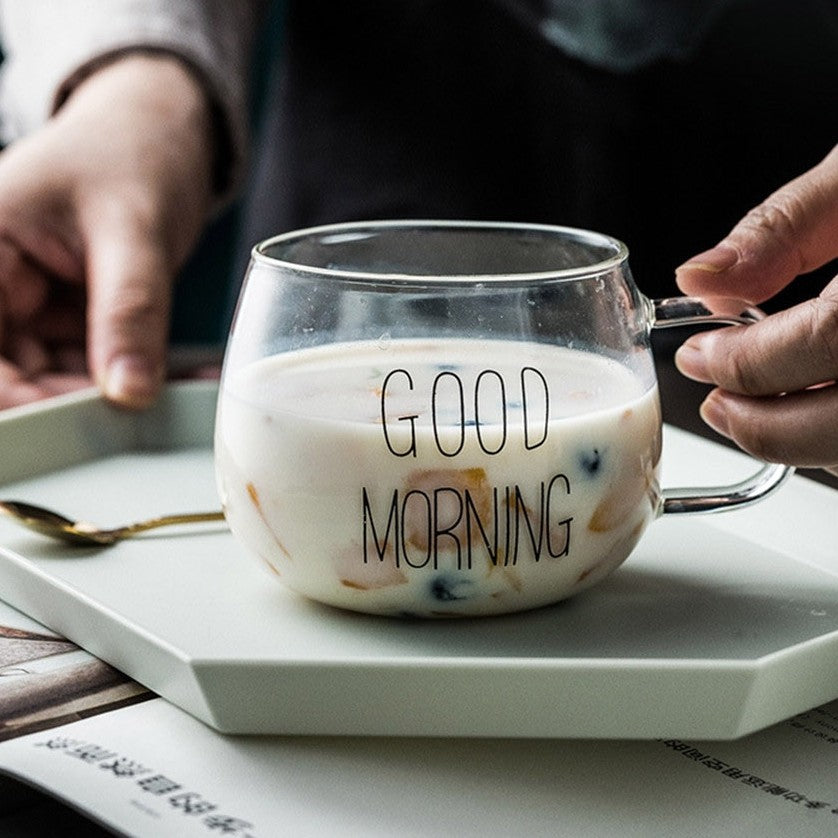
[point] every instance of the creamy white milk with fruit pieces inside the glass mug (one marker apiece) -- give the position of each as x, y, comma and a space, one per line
446, 477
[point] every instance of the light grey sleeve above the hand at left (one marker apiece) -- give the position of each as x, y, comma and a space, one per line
51, 46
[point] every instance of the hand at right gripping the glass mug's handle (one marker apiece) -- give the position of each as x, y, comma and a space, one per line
776, 395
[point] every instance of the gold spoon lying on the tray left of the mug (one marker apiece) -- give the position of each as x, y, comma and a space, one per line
53, 525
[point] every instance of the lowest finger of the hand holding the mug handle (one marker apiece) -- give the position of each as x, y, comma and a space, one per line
760, 426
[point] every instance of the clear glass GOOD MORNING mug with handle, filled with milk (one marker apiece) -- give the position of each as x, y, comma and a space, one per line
427, 418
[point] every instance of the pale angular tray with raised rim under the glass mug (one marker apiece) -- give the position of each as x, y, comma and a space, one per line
715, 627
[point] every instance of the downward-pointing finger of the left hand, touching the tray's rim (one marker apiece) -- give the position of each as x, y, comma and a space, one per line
129, 280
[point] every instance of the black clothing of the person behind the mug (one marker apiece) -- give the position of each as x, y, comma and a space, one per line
458, 109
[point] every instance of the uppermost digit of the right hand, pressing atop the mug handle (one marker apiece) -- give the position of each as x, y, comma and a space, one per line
790, 233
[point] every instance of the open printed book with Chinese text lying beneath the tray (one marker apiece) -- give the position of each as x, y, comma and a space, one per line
83, 732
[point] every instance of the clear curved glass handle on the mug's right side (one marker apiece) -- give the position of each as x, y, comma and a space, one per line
687, 311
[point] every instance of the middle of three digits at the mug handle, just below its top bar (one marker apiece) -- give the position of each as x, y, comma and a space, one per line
789, 351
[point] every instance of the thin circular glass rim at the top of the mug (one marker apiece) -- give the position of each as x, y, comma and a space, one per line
357, 228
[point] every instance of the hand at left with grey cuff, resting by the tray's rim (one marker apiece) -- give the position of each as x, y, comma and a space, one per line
98, 210
